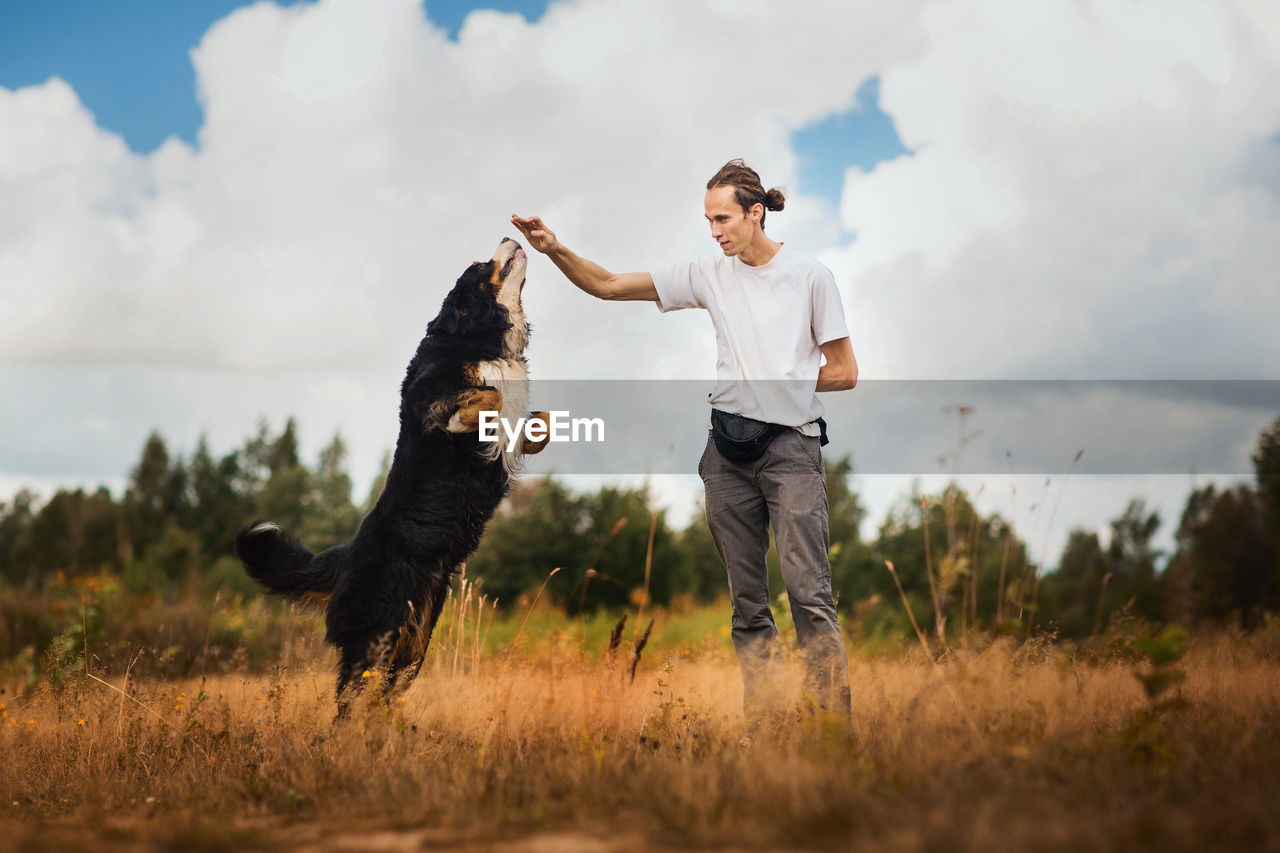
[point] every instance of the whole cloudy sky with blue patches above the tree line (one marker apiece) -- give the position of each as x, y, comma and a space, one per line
1063, 215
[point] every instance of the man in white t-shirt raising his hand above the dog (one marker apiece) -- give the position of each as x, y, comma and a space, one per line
781, 336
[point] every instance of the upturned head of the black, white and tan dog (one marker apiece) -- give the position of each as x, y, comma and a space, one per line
487, 300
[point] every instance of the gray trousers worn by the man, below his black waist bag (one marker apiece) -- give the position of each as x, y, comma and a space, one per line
787, 487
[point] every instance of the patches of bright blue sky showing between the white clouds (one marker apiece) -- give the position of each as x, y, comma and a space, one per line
129, 62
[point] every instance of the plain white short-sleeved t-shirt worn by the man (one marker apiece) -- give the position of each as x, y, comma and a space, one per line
770, 323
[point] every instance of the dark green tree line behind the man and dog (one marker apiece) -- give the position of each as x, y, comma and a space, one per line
954, 569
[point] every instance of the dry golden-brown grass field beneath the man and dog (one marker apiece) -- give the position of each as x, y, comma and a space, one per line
545, 747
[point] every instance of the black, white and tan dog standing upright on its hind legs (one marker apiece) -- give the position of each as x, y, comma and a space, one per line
383, 591
